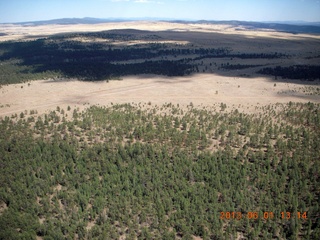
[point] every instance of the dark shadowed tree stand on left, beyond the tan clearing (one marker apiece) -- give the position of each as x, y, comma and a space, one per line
68, 56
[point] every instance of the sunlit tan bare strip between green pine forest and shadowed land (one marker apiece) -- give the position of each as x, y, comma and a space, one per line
201, 89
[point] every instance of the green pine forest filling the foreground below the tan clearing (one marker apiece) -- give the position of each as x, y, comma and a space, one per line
142, 171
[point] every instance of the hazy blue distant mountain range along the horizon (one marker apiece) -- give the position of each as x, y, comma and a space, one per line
290, 27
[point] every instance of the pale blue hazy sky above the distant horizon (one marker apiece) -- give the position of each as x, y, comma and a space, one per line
248, 10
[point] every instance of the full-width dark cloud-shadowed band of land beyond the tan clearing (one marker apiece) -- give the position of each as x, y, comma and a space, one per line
81, 56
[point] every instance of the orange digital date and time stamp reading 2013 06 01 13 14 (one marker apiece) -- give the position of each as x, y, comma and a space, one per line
261, 215
